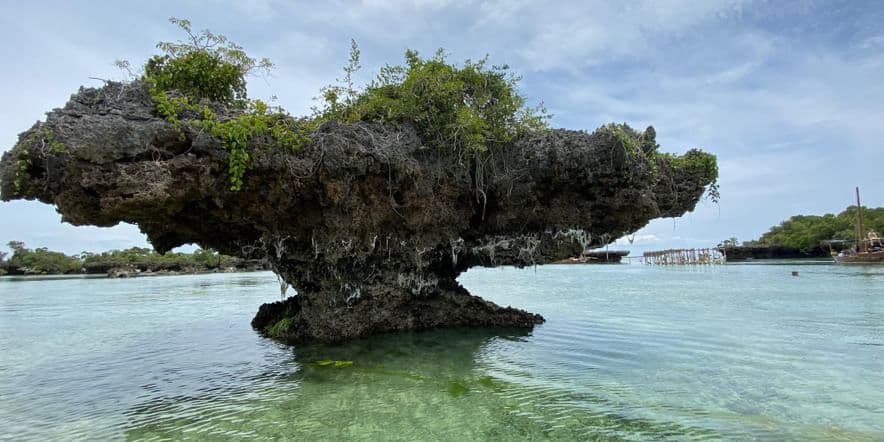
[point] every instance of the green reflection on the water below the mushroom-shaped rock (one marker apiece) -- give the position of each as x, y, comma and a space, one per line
411, 386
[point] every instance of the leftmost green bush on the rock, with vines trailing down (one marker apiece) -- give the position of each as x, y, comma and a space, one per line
209, 70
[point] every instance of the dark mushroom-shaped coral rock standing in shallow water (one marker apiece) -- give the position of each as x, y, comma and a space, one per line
370, 227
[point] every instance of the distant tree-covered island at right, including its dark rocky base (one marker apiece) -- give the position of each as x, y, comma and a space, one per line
806, 236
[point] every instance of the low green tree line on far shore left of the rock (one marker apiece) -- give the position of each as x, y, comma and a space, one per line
42, 261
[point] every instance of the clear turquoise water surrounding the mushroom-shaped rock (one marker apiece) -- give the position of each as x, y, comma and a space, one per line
628, 352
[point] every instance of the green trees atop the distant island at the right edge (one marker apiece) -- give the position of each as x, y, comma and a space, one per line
808, 232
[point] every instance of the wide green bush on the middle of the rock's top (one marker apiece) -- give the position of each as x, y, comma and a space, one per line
469, 108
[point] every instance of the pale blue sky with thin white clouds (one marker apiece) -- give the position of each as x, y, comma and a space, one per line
788, 94
